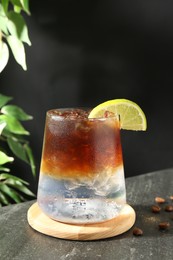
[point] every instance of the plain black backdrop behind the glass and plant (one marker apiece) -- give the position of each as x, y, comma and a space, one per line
87, 52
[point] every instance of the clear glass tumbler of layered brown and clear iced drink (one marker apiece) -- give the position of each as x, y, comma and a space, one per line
81, 173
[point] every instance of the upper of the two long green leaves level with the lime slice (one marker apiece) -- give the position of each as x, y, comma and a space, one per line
16, 112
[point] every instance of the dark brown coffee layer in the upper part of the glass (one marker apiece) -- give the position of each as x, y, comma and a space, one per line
77, 147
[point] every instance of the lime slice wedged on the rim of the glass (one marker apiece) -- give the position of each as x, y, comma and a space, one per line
131, 115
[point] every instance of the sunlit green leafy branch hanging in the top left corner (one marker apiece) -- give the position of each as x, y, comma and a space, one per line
13, 31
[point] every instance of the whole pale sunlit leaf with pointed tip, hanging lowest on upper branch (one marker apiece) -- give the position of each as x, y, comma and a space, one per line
18, 50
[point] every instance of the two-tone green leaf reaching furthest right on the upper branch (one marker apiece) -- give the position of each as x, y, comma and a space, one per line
17, 27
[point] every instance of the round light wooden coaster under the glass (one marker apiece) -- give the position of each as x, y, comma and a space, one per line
116, 226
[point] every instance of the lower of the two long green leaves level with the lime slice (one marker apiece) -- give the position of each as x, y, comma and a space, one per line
13, 125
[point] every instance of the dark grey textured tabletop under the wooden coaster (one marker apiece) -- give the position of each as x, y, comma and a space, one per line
19, 241
